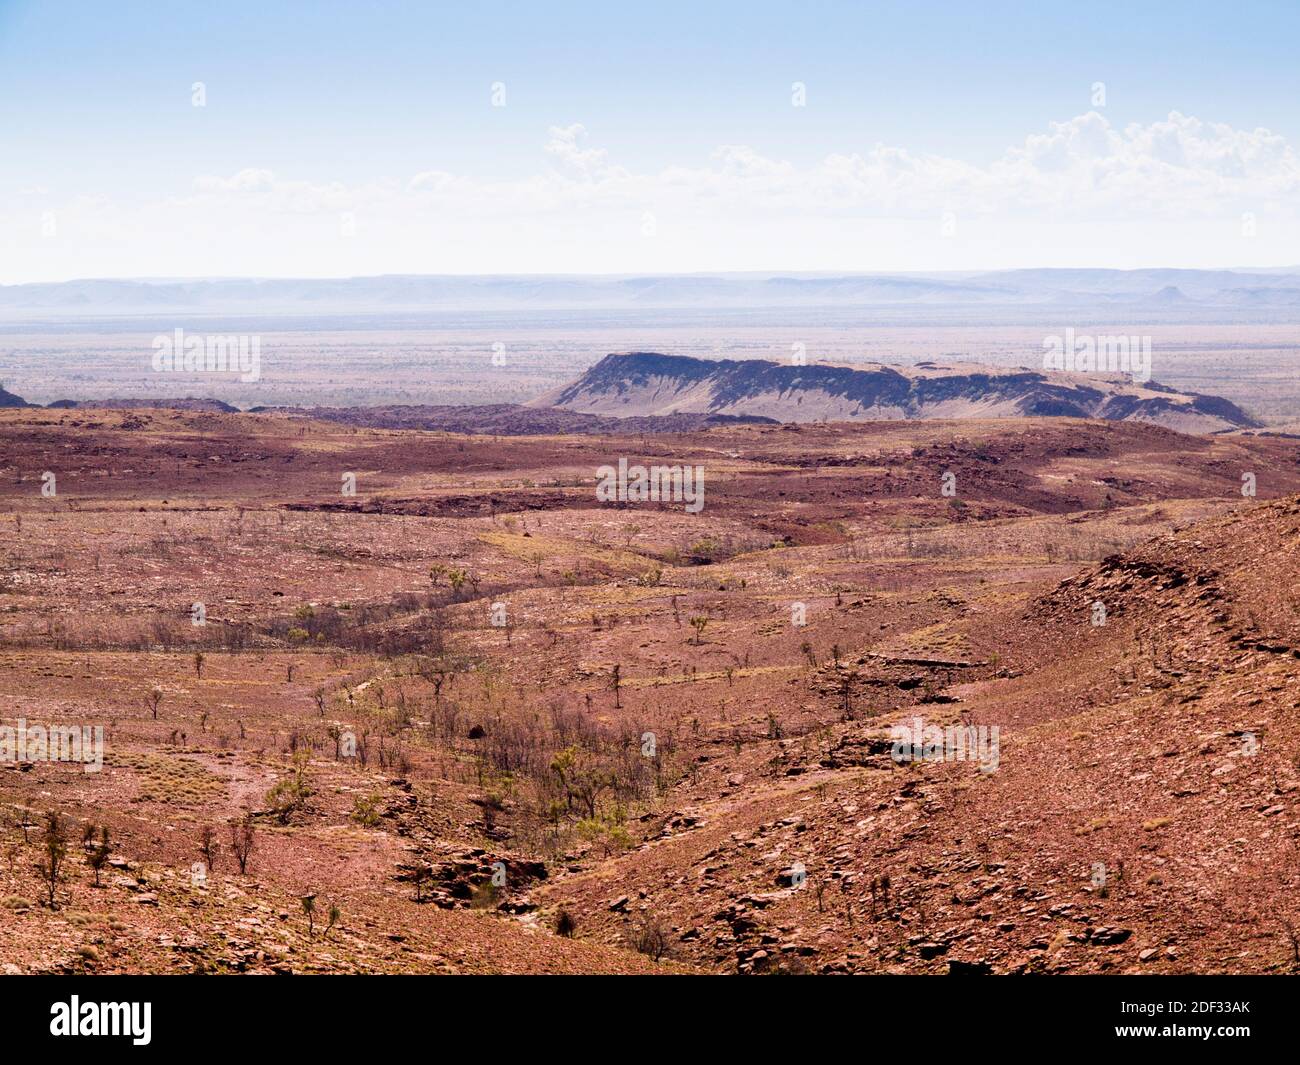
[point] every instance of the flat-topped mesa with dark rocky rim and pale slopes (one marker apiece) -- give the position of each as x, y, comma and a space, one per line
639, 384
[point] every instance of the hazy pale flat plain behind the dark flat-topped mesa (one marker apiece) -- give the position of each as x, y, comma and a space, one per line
513, 357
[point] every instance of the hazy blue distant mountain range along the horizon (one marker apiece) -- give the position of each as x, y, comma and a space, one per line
1048, 289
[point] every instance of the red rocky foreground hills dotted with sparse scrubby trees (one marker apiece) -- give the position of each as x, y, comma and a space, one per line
471, 720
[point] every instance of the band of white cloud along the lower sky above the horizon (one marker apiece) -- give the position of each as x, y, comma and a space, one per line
1082, 193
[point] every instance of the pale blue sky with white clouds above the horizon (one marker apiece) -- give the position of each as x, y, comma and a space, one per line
324, 140
